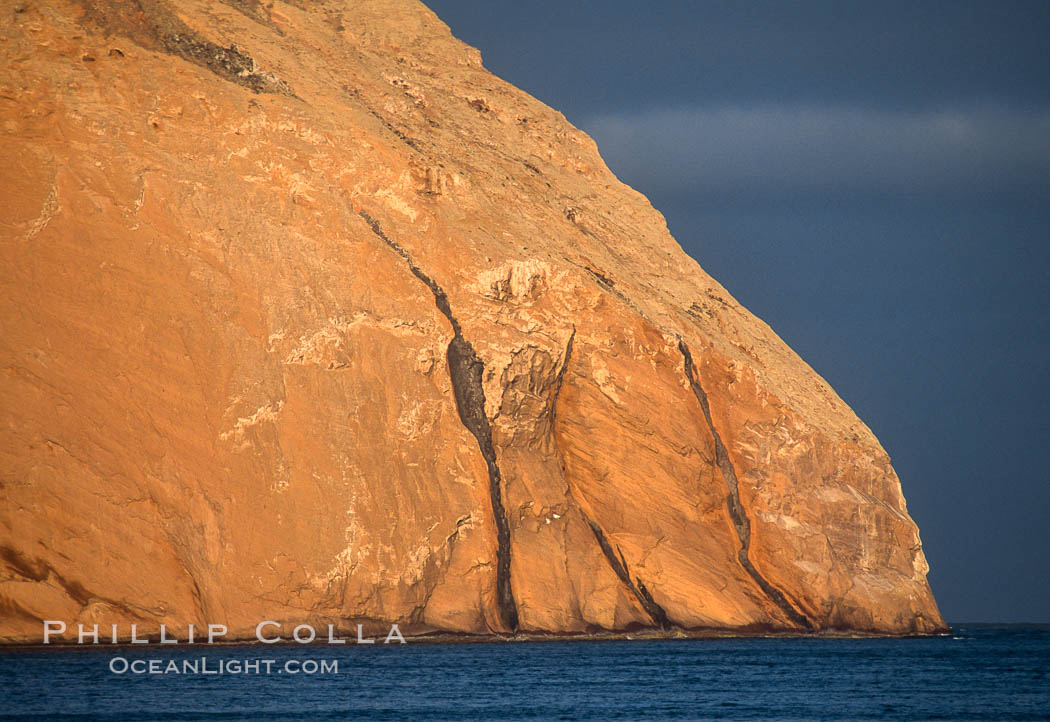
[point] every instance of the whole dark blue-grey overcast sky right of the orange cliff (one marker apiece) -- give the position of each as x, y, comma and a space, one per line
873, 180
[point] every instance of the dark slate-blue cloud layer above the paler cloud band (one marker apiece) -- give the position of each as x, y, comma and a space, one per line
586, 58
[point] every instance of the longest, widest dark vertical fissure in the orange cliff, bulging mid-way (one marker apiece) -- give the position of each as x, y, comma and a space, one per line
467, 372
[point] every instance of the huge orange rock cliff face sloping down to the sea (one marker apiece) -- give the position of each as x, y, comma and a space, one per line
308, 317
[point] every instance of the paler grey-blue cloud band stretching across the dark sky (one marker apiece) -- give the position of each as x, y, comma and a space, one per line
818, 147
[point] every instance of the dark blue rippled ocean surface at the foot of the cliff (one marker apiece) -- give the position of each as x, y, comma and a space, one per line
980, 673
